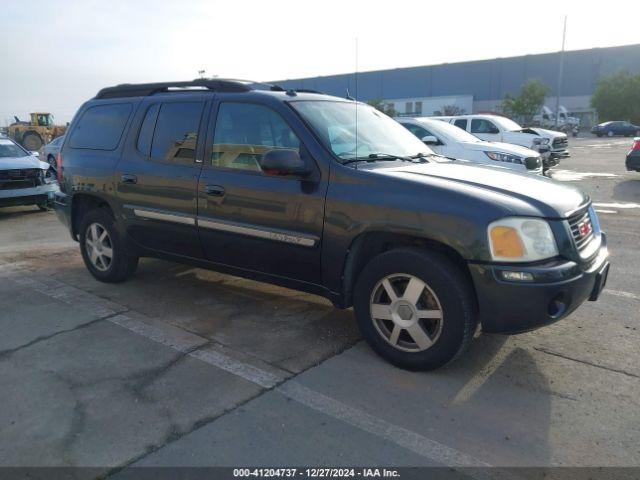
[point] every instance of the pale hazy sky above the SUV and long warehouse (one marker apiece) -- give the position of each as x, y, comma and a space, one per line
56, 54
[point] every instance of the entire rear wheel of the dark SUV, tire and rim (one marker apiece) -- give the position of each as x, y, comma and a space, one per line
102, 250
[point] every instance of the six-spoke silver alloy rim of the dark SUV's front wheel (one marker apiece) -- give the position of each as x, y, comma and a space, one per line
406, 312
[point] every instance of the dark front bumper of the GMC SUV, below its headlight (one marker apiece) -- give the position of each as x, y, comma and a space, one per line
558, 289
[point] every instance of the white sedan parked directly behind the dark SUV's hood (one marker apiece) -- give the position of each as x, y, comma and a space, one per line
450, 141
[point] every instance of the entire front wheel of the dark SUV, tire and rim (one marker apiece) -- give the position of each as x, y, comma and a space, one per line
415, 308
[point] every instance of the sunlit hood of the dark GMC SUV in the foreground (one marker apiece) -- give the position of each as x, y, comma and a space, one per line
551, 198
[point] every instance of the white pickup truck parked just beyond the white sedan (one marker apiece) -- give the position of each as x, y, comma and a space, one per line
495, 128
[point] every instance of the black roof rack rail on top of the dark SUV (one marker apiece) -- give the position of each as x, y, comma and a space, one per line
146, 89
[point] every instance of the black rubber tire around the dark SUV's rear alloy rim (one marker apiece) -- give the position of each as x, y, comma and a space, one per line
122, 265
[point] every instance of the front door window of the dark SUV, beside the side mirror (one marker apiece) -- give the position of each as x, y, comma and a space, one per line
244, 132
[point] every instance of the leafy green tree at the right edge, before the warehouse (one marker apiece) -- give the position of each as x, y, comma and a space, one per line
617, 97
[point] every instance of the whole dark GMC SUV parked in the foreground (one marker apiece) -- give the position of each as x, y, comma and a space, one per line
328, 196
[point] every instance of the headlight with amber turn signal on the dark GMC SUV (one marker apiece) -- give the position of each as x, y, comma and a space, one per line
521, 239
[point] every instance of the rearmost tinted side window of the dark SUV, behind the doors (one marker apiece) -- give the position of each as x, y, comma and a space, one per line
100, 127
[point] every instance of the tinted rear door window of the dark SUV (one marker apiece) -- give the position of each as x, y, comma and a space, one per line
176, 132
